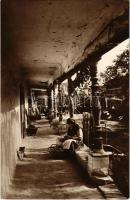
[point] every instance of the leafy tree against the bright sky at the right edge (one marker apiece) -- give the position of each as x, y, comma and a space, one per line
117, 76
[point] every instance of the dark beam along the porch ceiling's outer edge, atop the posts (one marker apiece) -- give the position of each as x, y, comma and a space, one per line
113, 34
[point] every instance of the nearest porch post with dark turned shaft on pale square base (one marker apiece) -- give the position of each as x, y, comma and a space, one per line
98, 159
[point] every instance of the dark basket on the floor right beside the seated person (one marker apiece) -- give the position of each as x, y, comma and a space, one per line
56, 151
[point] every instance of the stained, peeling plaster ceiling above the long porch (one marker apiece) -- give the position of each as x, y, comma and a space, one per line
49, 37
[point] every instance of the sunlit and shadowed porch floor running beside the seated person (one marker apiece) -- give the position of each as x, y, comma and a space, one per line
40, 177
